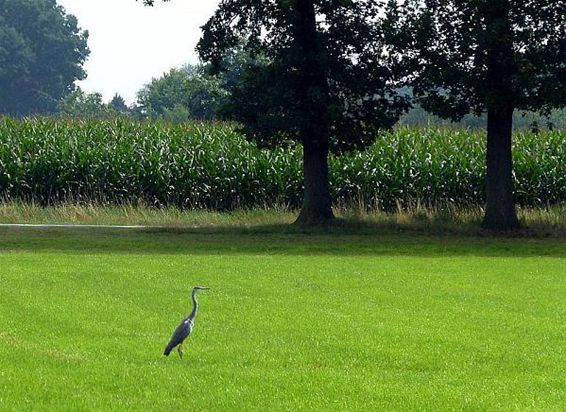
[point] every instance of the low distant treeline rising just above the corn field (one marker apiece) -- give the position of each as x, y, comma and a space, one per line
189, 93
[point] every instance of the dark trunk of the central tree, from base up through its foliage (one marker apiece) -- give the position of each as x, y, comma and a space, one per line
312, 104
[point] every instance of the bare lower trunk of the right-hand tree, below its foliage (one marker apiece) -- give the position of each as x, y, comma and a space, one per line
500, 211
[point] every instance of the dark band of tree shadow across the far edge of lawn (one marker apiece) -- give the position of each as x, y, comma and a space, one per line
338, 240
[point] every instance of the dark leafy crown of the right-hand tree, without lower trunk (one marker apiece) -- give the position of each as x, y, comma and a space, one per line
444, 46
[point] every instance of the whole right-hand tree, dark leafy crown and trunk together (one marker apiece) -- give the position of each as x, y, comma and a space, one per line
484, 56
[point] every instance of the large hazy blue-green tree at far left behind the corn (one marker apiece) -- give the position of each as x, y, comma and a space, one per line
42, 51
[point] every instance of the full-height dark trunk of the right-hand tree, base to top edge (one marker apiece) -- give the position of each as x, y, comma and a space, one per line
500, 211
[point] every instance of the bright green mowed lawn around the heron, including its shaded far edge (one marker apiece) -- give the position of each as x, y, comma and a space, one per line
293, 321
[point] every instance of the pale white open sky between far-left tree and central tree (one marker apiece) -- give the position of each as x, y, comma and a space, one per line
130, 43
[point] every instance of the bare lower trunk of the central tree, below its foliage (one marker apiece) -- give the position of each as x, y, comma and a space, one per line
317, 205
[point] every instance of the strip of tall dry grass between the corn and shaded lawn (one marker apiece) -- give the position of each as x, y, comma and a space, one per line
543, 221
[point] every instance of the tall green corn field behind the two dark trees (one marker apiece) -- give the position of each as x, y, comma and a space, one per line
210, 165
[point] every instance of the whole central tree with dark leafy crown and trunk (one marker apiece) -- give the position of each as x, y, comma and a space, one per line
319, 80
